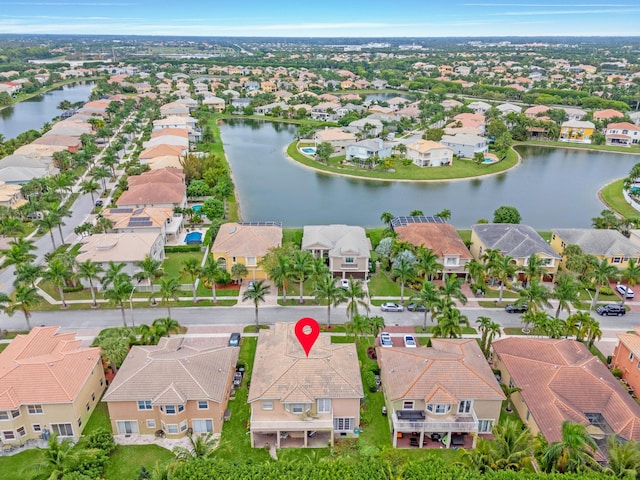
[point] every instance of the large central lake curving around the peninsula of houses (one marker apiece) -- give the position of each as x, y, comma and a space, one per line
551, 188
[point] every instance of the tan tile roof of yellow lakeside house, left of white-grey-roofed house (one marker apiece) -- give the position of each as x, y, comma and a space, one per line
246, 240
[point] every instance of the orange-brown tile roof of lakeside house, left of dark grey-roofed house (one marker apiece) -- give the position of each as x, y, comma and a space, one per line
442, 238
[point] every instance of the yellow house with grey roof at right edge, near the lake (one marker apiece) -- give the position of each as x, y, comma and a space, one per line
604, 244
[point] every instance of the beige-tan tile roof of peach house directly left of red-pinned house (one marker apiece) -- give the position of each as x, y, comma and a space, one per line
173, 372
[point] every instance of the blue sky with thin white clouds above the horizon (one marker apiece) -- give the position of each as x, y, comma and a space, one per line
326, 18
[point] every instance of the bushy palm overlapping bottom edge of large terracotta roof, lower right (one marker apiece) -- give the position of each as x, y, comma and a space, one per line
573, 453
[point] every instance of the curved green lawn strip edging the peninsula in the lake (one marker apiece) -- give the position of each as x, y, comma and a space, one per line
459, 169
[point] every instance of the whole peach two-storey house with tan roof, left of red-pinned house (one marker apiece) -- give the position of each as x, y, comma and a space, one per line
180, 386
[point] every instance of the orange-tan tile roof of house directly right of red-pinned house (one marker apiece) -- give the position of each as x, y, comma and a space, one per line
450, 369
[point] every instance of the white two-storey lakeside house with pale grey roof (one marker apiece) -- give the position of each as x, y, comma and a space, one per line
345, 248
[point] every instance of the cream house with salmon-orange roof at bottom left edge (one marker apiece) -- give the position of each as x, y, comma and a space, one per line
48, 384
